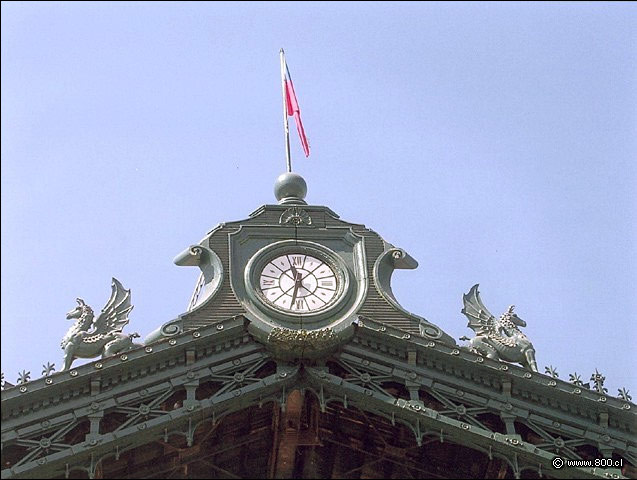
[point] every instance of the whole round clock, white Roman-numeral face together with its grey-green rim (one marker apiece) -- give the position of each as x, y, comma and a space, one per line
299, 280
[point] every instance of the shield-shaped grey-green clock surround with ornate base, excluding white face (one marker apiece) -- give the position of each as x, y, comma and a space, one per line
306, 334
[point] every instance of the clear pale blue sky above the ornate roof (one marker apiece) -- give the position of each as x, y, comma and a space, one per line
495, 142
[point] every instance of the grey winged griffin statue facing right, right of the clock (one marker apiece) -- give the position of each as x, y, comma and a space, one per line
497, 338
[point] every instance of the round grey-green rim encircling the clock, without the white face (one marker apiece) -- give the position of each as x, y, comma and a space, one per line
258, 262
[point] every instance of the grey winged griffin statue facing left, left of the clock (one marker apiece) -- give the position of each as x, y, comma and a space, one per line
88, 338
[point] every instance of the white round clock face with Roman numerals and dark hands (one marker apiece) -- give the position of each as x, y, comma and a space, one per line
298, 283
